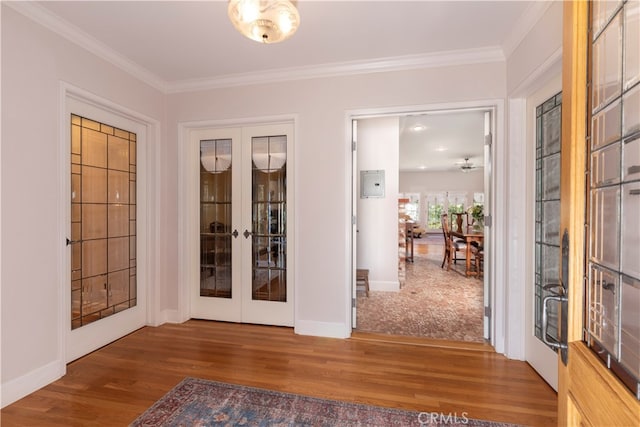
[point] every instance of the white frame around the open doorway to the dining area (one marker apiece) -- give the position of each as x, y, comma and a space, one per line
498, 235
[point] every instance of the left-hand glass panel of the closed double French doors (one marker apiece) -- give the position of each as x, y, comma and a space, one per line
215, 218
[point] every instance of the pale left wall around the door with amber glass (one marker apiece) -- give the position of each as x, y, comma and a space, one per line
34, 63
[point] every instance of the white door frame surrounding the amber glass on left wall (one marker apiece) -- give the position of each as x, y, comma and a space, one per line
147, 310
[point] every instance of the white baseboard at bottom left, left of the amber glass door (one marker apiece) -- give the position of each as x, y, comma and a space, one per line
24, 385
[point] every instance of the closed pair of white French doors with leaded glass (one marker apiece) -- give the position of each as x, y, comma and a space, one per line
243, 229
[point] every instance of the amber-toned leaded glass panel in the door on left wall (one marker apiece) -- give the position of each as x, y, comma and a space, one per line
103, 180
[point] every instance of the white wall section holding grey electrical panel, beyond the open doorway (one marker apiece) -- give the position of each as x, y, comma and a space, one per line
377, 218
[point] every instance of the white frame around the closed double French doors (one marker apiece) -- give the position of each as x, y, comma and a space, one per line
188, 192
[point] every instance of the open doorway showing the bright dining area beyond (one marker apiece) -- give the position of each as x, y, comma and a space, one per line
436, 162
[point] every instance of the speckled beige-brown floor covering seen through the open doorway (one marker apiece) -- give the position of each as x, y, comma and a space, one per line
434, 303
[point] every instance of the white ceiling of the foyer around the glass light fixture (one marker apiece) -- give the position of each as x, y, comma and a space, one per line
178, 41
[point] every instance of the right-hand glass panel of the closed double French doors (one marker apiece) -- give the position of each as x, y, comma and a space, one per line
269, 213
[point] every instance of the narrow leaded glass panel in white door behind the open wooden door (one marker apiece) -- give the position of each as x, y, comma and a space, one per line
547, 213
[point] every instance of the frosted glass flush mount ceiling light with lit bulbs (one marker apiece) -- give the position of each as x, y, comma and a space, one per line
265, 21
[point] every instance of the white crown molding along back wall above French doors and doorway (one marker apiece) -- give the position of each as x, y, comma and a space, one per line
401, 63
